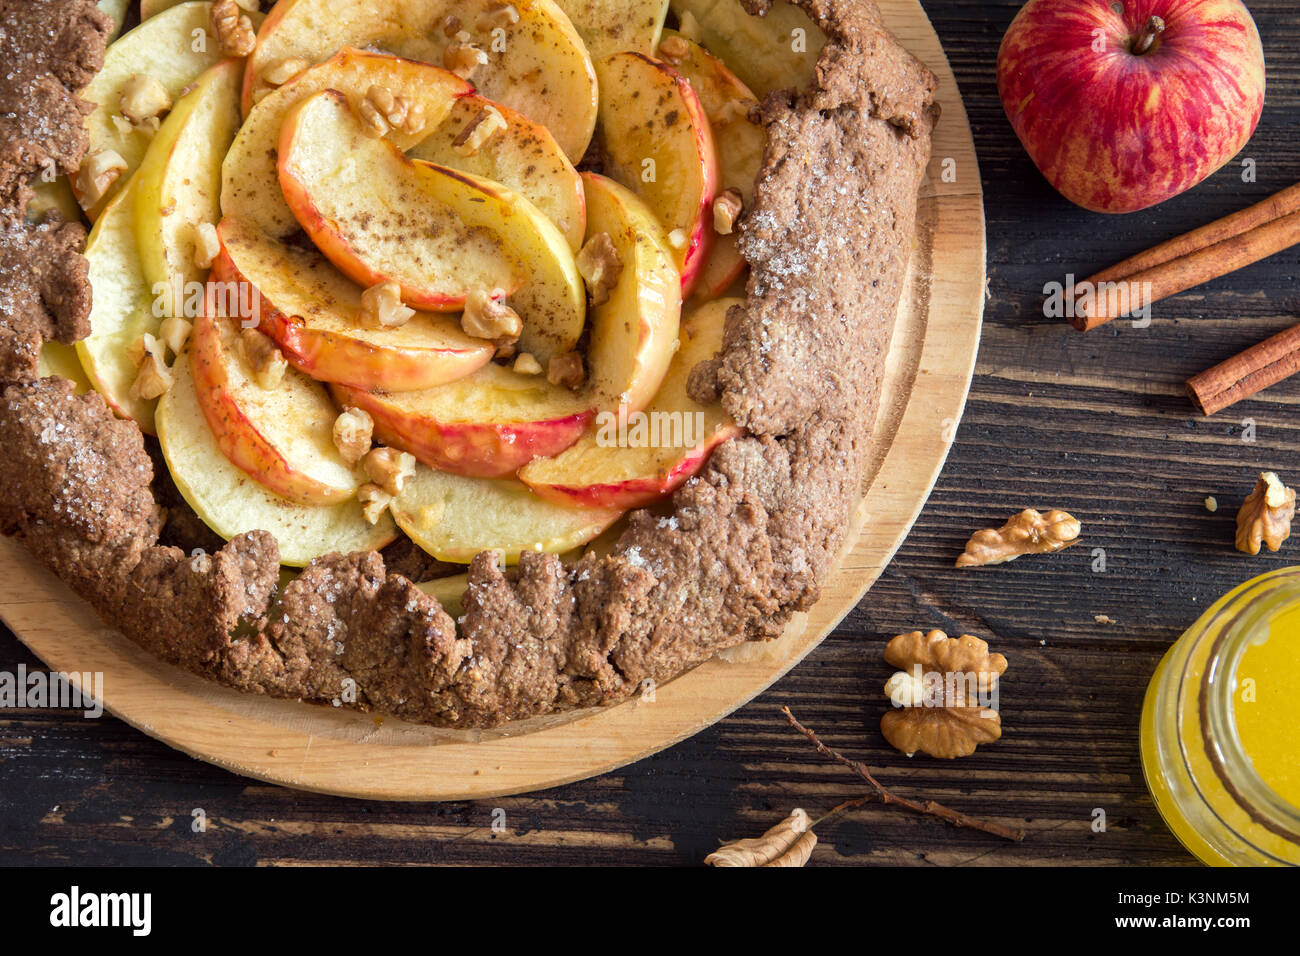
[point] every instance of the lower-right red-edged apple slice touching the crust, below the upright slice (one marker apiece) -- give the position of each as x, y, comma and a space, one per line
619, 465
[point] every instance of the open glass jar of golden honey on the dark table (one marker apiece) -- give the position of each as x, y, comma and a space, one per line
1221, 728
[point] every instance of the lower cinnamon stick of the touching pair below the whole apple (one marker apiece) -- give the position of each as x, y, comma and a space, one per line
1188, 271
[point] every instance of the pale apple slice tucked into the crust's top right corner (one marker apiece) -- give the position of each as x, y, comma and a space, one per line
777, 51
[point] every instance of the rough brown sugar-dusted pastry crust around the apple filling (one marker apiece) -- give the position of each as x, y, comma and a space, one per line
746, 544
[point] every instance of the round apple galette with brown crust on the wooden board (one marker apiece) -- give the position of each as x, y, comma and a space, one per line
461, 361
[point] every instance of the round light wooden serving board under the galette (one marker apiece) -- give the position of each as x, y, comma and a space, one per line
356, 755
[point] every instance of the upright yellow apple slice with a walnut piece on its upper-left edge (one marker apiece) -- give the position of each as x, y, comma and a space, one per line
635, 331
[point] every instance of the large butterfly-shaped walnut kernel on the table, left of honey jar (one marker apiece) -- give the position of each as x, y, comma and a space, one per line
938, 695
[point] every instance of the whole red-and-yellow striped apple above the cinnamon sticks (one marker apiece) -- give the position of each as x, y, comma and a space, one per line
1126, 103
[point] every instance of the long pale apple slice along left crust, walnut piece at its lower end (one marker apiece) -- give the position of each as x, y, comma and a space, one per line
123, 310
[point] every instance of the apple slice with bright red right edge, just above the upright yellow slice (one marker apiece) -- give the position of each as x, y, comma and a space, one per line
658, 144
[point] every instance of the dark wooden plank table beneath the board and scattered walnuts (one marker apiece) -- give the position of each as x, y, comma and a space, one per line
1097, 425
